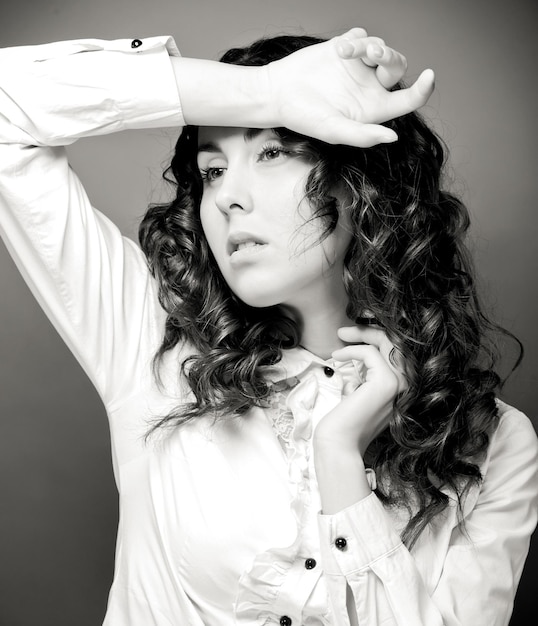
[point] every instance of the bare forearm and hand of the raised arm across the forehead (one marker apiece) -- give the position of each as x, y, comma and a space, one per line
335, 91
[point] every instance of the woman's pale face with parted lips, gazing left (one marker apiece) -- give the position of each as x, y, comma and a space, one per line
258, 225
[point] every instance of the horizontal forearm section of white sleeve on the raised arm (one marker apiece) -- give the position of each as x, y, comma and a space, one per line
56, 93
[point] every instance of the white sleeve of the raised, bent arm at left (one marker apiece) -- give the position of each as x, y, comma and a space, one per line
92, 283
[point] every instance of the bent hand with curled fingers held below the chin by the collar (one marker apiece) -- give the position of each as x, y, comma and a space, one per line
365, 413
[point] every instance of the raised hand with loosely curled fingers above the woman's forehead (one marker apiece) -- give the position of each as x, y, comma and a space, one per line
330, 91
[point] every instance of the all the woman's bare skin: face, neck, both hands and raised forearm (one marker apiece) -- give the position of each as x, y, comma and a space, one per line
337, 92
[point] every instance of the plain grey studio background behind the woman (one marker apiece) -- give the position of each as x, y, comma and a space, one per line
58, 502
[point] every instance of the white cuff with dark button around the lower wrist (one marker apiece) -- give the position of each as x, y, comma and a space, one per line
356, 536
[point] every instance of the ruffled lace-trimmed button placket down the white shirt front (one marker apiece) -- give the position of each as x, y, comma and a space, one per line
288, 581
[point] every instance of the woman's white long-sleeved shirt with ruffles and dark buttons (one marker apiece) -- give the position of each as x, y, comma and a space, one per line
220, 524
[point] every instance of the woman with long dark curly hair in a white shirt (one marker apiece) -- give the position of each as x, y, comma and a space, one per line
323, 350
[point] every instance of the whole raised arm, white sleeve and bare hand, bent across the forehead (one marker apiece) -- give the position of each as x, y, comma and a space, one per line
85, 275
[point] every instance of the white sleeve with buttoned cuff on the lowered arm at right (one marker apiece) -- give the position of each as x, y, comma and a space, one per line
477, 571
